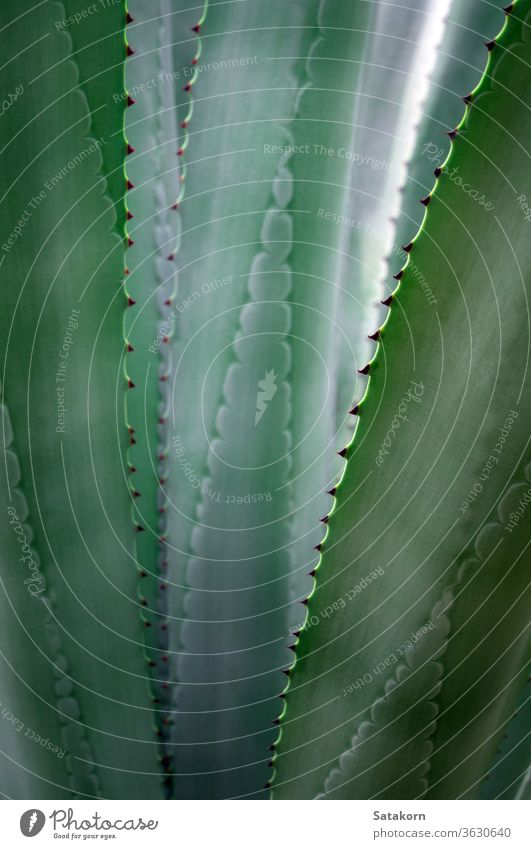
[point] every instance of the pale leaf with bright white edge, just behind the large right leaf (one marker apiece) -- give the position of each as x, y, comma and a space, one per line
367, 67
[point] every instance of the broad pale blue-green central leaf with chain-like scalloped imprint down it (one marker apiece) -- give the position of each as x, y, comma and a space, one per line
228, 459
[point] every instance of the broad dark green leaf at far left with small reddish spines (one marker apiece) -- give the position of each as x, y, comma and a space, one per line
62, 344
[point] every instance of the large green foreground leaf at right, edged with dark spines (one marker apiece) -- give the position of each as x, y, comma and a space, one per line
444, 385
